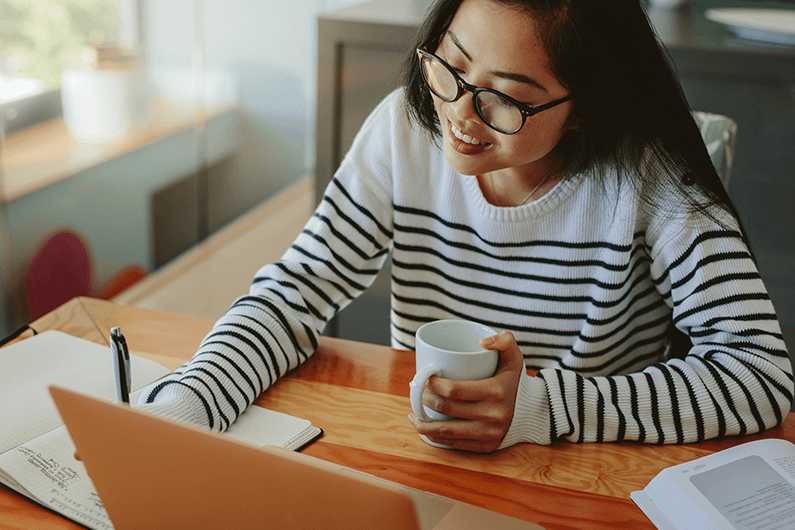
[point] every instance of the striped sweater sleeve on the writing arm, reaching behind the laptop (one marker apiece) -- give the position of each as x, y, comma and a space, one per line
275, 327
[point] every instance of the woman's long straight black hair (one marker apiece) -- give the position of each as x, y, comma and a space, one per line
632, 110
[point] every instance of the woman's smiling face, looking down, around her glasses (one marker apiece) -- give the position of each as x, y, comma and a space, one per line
497, 47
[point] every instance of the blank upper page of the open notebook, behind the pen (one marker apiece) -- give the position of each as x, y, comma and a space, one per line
28, 367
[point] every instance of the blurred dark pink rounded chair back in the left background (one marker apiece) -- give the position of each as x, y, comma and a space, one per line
59, 271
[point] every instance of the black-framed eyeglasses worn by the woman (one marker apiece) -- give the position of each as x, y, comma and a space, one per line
500, 112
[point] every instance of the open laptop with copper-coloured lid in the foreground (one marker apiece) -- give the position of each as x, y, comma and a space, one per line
151, 472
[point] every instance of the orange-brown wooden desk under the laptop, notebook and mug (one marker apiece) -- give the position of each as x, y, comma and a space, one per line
358, 393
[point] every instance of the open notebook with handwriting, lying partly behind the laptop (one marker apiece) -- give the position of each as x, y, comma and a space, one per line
36, 452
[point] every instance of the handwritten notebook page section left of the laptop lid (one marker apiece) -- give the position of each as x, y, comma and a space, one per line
46, 470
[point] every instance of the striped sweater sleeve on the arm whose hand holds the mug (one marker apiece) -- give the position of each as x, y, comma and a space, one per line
735, 379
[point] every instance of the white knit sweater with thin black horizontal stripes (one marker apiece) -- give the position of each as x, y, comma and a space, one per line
589, 278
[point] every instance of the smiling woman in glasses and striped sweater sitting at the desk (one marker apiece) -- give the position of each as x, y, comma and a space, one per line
548, 179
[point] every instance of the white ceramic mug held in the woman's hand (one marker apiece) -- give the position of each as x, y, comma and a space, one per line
450, 349
